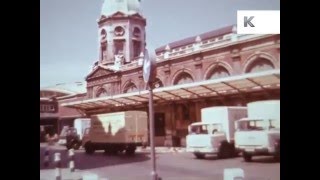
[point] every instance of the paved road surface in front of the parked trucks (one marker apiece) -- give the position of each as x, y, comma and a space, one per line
170, 166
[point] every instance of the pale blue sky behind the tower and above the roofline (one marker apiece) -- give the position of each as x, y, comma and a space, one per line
68, 29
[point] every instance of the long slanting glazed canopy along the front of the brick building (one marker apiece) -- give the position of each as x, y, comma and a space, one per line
261, 81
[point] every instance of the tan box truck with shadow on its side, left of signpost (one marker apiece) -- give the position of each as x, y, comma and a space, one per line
117, 132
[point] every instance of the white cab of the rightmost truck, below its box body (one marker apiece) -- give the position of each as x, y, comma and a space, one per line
254, 137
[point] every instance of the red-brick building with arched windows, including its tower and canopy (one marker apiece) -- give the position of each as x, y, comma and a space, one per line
116, 82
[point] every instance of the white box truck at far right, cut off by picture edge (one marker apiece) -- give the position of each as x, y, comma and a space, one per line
259, 134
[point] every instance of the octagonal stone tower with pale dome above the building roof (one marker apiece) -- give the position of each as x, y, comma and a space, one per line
121, 32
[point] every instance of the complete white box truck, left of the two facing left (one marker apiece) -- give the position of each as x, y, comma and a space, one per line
215, 133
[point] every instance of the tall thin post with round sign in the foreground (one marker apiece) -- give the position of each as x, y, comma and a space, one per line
149, 76
